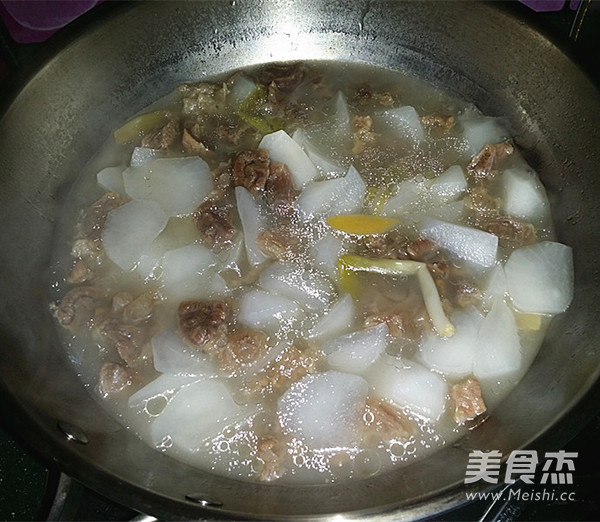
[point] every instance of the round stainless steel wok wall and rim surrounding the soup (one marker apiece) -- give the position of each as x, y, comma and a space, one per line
54, 124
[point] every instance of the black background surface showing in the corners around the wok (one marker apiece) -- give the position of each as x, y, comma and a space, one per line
28, 483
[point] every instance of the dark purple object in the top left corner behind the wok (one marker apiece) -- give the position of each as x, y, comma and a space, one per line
30, 21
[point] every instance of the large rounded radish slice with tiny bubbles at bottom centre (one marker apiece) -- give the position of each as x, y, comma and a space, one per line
324, 409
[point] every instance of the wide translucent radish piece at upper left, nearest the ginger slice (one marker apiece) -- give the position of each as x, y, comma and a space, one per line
179, 185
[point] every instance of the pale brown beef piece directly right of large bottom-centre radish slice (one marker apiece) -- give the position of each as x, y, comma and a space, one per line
385, 422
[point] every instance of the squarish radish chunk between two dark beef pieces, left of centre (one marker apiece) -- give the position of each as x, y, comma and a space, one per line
186, 272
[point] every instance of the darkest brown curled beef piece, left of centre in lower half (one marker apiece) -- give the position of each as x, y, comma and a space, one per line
201, 321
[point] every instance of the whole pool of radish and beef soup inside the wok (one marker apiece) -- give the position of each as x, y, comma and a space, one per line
306, 272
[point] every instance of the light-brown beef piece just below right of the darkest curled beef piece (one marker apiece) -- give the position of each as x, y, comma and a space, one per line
240, 350
